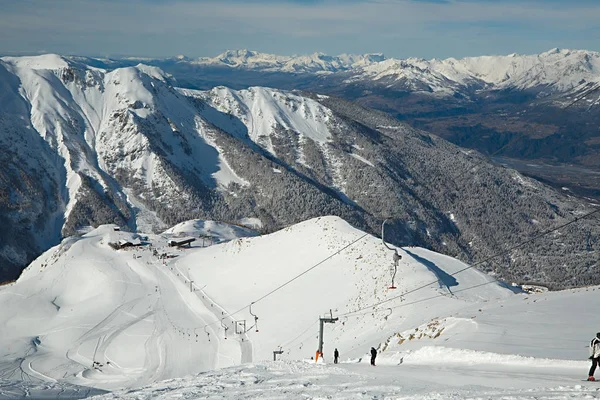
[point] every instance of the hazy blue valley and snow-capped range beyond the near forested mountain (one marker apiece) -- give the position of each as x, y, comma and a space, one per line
542, 105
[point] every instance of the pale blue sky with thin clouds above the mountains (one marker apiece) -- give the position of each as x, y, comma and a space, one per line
397, 28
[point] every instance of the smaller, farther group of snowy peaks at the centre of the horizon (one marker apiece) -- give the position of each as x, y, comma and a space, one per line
312, 63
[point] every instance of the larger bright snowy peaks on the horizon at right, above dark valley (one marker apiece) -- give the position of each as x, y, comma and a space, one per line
555, 70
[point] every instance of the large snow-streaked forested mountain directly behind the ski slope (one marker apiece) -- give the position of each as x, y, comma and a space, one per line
85, 146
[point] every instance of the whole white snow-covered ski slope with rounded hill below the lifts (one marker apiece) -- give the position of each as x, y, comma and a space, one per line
95, 315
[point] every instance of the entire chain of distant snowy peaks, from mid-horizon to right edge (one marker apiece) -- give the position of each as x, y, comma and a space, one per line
557, 70
